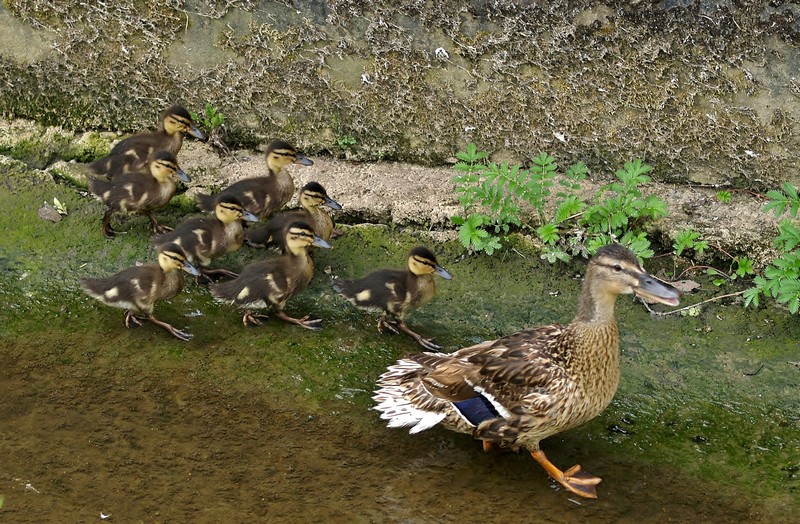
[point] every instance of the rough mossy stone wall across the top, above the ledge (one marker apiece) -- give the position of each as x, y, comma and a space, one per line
704, 90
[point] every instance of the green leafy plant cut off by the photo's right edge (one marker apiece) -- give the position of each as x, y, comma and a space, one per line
781, 279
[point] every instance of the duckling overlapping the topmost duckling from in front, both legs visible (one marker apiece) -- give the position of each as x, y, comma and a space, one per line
136, 192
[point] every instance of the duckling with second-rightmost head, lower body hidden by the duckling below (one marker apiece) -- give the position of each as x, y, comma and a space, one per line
312, 196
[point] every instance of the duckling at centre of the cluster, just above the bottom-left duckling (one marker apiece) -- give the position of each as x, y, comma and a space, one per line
209, 237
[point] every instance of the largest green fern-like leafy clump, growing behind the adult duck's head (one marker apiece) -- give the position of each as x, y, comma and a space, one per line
498, 197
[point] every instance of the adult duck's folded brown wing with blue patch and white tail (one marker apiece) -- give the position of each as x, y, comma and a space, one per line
513, 382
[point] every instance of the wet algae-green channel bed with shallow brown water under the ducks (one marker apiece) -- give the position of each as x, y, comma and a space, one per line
274, 423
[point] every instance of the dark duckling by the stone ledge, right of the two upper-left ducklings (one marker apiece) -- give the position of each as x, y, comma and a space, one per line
263, 195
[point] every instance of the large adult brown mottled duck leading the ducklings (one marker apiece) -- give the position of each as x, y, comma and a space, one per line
519, 389
